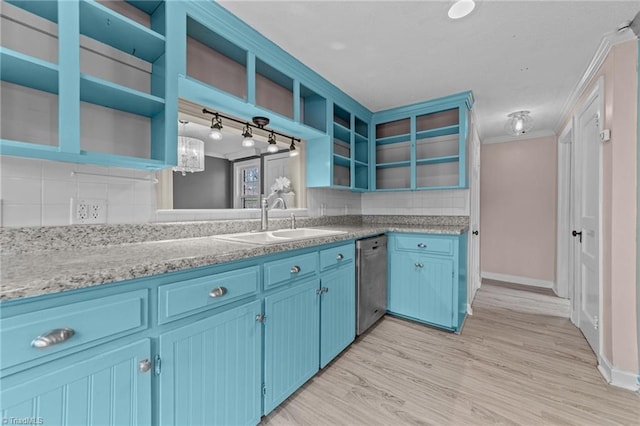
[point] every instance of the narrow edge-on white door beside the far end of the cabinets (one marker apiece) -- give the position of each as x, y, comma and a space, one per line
474, 237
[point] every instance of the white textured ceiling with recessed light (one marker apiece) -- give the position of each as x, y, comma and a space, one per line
513, 55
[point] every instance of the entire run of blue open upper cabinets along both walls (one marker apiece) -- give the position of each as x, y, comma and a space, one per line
107, 76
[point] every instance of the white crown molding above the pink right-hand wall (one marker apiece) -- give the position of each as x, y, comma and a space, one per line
609, 40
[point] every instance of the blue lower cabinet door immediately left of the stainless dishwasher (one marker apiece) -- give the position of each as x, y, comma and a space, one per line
337, 312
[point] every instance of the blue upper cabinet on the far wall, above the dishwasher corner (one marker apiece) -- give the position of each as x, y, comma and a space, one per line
422, 146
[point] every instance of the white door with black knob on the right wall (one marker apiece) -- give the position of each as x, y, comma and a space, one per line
589, 172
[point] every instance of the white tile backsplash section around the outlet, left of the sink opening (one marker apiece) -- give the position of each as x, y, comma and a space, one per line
38, 192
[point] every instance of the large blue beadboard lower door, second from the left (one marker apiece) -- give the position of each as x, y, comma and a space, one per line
211, 370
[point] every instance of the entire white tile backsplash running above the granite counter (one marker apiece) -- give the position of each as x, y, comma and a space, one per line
38, 193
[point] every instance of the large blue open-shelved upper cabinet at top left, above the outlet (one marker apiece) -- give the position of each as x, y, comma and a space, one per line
94, 67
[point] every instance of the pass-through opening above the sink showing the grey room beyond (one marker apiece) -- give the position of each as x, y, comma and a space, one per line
234, 176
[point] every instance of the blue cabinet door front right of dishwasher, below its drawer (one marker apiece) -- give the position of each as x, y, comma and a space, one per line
422, 287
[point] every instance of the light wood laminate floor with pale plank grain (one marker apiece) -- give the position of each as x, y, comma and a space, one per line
509, 366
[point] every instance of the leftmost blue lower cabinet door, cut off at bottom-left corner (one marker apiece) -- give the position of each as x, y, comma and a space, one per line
107, 389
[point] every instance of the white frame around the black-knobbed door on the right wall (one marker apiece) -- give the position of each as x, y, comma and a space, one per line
596, 95
